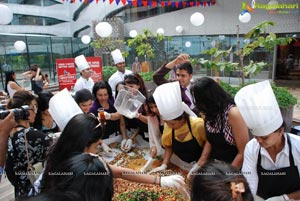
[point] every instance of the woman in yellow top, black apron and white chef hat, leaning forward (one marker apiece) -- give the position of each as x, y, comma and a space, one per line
183, 134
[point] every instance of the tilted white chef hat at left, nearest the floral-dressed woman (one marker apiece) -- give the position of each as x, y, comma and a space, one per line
62, 108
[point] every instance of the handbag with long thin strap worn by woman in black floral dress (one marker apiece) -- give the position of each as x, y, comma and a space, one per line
33, 171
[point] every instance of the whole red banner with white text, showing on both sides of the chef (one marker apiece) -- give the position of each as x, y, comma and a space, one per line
66, 71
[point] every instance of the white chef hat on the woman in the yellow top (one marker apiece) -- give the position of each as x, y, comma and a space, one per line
168, 100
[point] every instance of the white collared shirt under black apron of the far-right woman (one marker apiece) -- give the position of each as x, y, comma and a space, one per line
282, 159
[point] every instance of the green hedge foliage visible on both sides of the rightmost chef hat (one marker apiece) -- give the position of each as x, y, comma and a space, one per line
283, 96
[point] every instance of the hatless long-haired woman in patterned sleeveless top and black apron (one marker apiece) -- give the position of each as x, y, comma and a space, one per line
226, 131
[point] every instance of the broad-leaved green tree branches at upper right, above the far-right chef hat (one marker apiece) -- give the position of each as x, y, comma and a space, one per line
258, 37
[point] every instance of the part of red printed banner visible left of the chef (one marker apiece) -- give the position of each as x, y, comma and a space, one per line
66, 72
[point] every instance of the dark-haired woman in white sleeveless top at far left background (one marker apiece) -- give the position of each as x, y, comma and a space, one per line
11, 85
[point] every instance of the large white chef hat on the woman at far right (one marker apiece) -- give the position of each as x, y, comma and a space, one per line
259, 108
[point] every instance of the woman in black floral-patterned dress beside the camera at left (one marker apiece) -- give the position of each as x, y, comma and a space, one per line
25, 143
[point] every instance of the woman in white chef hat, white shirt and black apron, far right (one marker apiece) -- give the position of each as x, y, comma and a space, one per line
271, 160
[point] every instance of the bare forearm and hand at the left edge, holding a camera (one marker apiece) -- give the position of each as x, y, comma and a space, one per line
6, 125
